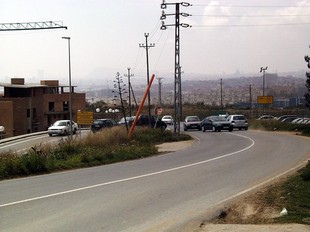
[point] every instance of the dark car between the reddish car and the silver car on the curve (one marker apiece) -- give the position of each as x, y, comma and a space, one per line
216, 123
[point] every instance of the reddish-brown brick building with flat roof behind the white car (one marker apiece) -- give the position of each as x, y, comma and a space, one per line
28, 108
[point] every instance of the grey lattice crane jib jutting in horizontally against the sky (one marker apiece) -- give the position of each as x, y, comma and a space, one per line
31, 26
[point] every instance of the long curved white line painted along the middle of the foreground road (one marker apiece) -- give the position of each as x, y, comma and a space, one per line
133, 178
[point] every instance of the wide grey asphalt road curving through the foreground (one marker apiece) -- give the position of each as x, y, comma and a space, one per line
152, 194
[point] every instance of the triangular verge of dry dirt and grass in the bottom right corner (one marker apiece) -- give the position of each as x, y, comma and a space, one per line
265, 205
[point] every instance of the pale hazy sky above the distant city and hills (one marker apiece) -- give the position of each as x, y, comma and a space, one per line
227, 36
